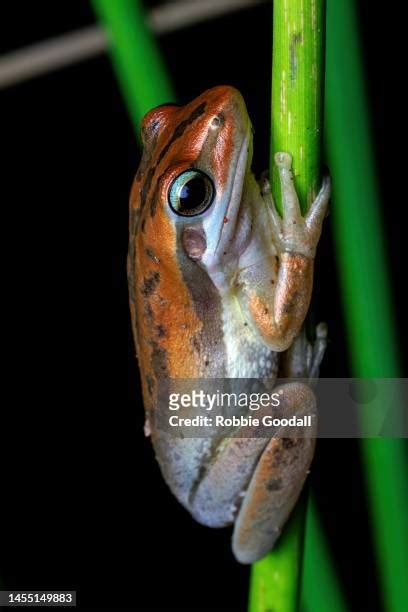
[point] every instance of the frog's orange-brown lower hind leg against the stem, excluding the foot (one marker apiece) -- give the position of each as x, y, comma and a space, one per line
276, 482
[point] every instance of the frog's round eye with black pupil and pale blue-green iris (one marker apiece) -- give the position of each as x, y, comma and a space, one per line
191, 193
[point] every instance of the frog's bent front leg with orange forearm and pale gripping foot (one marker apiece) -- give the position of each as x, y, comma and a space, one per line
277, 309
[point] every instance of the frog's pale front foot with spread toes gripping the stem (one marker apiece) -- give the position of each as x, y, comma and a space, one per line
294, 233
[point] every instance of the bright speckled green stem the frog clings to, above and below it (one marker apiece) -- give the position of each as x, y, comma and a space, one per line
297, 77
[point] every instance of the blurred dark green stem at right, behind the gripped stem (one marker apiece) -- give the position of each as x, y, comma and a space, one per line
365, 286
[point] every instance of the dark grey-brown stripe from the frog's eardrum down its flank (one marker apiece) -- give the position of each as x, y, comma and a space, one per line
208, 343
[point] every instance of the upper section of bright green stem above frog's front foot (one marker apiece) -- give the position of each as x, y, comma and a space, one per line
297, 80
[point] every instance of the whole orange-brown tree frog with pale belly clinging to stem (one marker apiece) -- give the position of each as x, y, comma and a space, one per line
219, 287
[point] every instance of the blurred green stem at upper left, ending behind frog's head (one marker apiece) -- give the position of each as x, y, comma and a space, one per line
139, 68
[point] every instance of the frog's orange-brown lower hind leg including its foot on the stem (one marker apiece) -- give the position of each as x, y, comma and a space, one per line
283, 466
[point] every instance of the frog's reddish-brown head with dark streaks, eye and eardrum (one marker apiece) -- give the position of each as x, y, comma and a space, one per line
190, 183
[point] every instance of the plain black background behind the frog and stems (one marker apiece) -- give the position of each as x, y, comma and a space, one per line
83, 504
